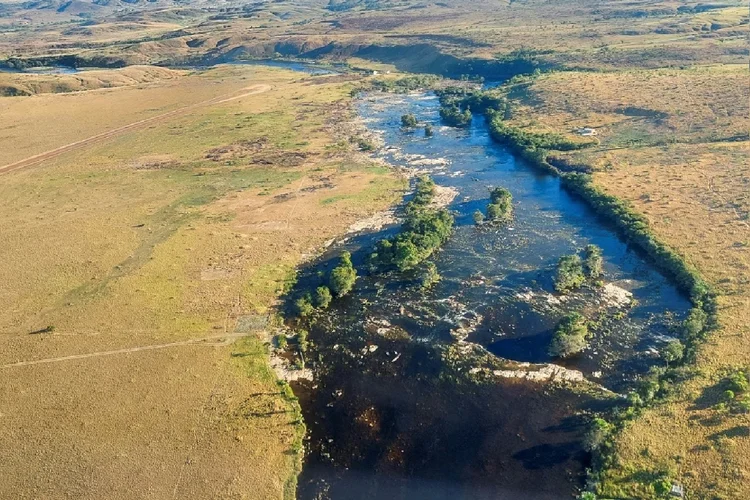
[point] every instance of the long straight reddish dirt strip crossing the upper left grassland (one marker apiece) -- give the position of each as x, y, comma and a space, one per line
39, 158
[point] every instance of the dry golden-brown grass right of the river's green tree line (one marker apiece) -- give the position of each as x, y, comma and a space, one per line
669, 161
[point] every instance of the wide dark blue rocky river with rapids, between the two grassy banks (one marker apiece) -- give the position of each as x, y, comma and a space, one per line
390, 416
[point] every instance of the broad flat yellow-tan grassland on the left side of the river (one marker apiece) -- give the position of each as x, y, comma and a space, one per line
157, 255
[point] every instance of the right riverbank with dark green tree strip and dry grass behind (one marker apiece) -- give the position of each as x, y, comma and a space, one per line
677, 214
